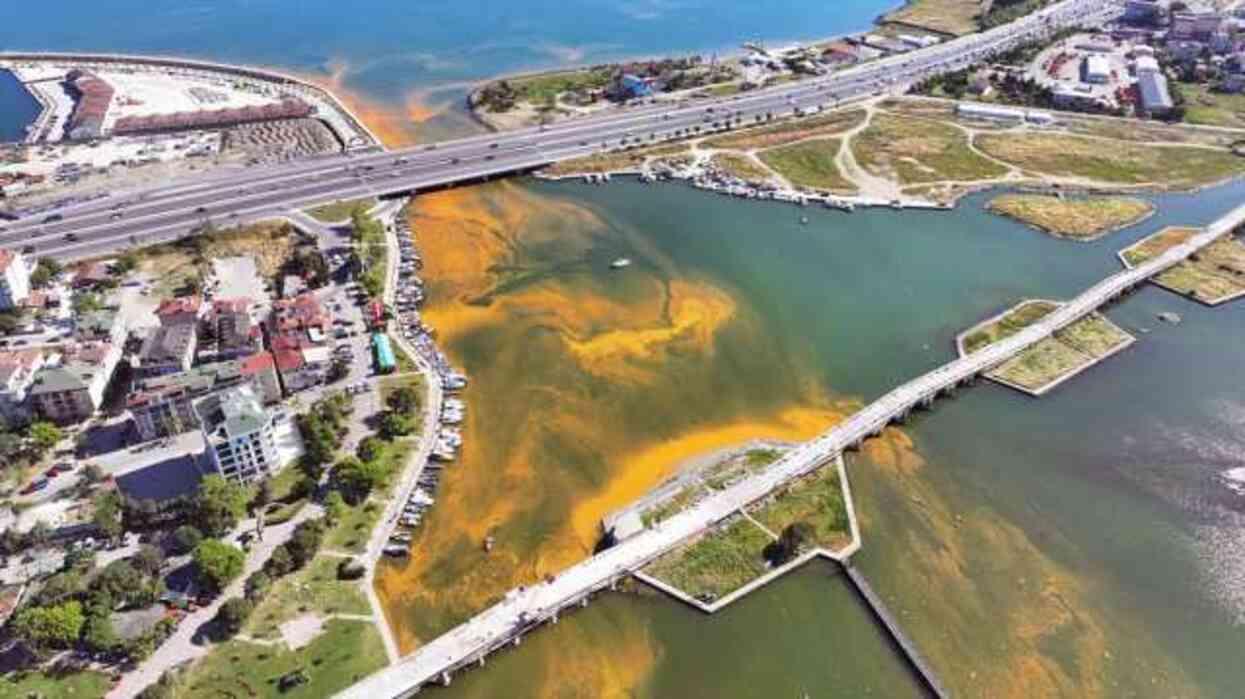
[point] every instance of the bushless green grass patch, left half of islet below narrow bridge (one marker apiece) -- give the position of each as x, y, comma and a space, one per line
716, 564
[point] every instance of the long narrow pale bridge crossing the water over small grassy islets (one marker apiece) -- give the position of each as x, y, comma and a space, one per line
529, 607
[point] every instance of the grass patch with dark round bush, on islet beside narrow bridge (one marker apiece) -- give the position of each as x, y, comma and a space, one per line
816, 500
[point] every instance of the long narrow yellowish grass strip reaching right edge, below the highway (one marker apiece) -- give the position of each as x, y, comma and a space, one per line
1112, 161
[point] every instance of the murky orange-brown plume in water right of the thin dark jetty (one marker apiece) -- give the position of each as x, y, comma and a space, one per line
987, 597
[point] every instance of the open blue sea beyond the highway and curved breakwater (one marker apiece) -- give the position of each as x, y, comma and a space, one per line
389, 48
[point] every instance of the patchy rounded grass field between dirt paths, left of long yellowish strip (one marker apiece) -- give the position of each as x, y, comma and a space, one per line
917, 150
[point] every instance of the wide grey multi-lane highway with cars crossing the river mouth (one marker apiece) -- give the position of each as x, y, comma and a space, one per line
144, 217
